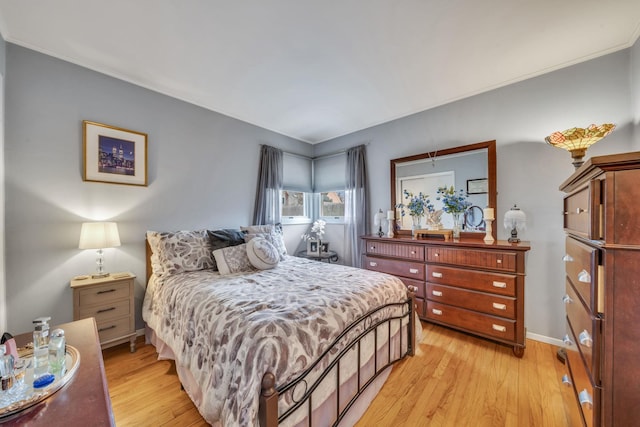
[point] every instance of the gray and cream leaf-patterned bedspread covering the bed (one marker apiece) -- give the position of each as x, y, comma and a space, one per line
230, 330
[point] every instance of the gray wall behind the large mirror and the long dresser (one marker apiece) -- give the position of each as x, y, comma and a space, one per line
529, 171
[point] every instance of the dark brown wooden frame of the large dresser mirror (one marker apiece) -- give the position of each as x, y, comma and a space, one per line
491, 175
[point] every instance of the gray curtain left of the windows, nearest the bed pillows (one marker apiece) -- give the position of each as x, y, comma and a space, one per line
267, 207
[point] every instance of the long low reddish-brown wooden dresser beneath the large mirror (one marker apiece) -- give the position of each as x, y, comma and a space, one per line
463, 284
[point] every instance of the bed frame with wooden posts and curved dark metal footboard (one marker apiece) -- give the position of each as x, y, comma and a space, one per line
270, 394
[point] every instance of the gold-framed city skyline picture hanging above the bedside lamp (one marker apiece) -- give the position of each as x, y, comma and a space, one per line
114, 155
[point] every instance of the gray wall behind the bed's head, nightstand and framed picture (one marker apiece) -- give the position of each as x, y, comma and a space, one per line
201, 166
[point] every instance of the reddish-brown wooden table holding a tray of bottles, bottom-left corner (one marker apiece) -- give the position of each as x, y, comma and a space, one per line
84, 400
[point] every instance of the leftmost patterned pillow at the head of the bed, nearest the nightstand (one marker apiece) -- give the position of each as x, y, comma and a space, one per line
180, 251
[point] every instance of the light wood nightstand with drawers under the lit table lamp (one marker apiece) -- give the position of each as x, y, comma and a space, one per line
110, 301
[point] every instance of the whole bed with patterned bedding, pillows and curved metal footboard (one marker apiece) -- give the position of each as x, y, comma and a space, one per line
295, 342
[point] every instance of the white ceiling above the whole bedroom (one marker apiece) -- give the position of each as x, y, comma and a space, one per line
318, 69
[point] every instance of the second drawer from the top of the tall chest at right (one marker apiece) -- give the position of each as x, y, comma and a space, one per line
582, 267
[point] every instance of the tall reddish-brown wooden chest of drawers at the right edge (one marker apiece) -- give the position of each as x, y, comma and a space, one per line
602, 298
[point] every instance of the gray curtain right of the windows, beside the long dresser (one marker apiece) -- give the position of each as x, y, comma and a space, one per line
356, 204
